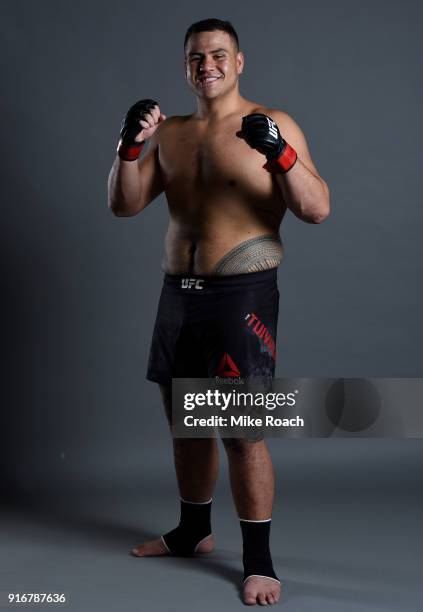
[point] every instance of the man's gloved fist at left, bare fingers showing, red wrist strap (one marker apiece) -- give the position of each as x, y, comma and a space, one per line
139, 125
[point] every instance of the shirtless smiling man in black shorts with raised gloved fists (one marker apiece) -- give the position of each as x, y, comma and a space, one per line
230, 170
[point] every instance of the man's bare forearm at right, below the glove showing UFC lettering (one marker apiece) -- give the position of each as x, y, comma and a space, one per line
305, 194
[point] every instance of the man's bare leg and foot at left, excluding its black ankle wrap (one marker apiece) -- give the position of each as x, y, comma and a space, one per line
197, 466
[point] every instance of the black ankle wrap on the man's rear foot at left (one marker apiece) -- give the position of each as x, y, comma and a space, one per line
193, 527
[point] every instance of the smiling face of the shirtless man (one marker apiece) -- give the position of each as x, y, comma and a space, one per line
212, 63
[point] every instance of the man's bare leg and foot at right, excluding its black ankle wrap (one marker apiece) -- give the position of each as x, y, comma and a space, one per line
253, 484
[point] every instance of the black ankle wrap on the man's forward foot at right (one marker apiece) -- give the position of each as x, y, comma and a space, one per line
256, 555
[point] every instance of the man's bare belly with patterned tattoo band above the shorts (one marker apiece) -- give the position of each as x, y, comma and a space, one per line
221, 253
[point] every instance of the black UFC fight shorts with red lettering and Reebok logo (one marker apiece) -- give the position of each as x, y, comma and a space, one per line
210, 326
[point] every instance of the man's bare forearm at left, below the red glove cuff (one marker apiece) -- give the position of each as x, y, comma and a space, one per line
124, 188
